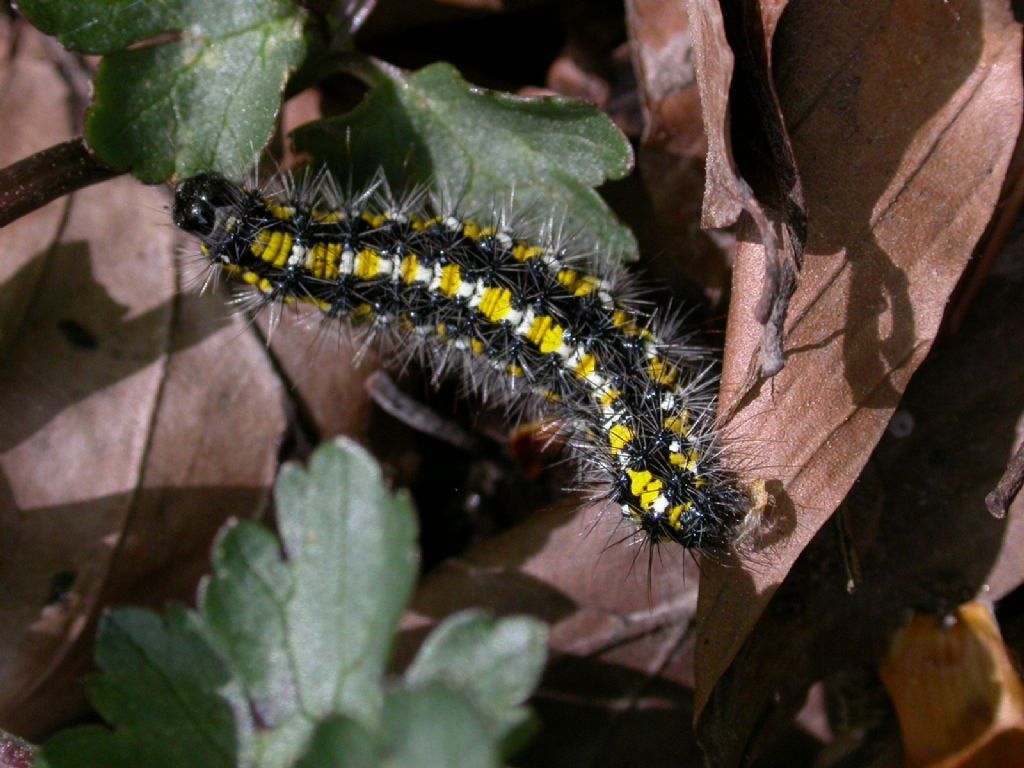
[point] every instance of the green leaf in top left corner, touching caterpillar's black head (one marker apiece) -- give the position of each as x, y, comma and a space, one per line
204, 96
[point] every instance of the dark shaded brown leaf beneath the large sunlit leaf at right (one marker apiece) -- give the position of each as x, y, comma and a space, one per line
920, 532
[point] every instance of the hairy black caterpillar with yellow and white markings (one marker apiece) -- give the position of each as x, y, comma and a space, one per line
522, 319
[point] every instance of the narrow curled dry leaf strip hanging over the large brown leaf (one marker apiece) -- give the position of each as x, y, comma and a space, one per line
733, 47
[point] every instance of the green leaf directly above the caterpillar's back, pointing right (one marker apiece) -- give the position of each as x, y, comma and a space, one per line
482, 147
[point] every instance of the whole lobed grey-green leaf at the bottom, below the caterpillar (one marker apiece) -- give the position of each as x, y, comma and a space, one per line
284, 664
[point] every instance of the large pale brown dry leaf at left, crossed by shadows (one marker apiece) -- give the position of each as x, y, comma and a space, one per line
119, 448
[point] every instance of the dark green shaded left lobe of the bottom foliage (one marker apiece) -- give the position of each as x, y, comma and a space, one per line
159, 687
